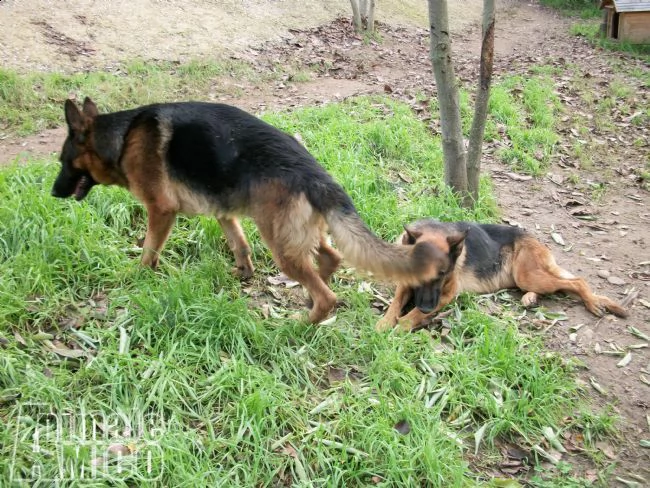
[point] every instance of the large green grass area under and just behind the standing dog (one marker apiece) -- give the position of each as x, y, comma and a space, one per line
231, 398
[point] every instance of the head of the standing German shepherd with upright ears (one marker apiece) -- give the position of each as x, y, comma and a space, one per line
81, 166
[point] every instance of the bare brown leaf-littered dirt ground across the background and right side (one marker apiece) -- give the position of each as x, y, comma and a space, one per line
596, 219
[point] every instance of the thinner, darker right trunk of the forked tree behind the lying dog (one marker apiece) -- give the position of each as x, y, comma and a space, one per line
481, 103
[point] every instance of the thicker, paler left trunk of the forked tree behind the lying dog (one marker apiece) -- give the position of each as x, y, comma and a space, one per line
453, 147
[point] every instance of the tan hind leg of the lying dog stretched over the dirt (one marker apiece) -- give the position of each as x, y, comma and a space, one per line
535, 270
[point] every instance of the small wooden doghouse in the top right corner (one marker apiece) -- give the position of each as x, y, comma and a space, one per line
627, 20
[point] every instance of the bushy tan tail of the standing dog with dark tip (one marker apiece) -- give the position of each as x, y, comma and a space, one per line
410, 265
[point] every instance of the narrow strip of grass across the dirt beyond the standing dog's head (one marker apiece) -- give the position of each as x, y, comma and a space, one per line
32, 102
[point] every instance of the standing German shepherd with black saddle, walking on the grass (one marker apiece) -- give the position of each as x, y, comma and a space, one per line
214, 159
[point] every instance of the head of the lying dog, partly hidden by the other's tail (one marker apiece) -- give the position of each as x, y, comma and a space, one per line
448, 239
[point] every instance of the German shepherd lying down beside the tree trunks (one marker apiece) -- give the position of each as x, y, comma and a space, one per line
484, 259
